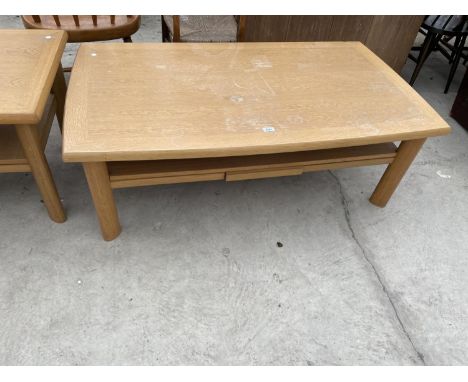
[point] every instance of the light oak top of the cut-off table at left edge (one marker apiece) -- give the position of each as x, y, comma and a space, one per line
28, 63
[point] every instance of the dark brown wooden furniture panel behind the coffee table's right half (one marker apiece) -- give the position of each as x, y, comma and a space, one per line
390, 37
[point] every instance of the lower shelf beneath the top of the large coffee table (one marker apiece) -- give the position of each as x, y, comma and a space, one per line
146, 173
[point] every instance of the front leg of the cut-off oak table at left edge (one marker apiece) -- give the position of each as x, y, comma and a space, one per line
28, 135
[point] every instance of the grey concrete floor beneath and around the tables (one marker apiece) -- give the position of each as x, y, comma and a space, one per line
197, 276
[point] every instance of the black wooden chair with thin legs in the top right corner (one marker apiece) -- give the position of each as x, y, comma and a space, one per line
439, 31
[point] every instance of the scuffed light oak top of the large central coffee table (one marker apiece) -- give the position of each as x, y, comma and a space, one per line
165, 101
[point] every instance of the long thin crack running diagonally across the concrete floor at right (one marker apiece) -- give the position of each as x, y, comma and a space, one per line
344, 203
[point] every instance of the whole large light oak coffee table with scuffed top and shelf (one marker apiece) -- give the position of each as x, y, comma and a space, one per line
147, 114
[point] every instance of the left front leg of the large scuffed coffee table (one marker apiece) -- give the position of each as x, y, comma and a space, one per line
101, 192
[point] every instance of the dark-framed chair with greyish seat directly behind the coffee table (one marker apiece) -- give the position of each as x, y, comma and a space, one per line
203, 28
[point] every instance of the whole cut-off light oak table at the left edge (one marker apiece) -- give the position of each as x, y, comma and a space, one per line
30, 71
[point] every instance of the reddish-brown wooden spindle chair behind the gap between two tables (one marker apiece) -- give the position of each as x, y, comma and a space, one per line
87, 28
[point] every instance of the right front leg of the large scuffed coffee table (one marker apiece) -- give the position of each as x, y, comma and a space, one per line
392, 176
